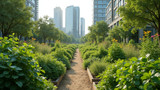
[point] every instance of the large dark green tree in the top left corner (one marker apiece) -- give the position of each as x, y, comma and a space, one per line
15, 17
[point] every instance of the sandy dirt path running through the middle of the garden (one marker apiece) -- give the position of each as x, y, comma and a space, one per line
76, 78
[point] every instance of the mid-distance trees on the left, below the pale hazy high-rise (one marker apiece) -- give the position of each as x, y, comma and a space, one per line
46, 30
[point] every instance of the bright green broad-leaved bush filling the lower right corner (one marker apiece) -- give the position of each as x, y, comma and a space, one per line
139, 74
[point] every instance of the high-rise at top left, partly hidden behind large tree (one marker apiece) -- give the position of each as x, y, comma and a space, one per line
34, 5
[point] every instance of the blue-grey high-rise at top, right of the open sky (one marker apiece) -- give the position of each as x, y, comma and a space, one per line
99, 10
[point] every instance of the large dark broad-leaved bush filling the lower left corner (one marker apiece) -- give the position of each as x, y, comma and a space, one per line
18, 68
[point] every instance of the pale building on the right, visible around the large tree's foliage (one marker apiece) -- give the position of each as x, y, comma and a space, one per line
113, 19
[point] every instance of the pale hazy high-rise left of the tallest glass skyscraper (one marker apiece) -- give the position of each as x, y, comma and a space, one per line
58, 18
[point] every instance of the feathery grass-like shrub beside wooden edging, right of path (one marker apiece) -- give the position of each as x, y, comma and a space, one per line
97, 67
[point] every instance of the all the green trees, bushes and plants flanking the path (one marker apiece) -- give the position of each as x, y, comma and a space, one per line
43, 53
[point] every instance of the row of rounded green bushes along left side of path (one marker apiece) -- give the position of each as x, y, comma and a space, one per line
56, 63
